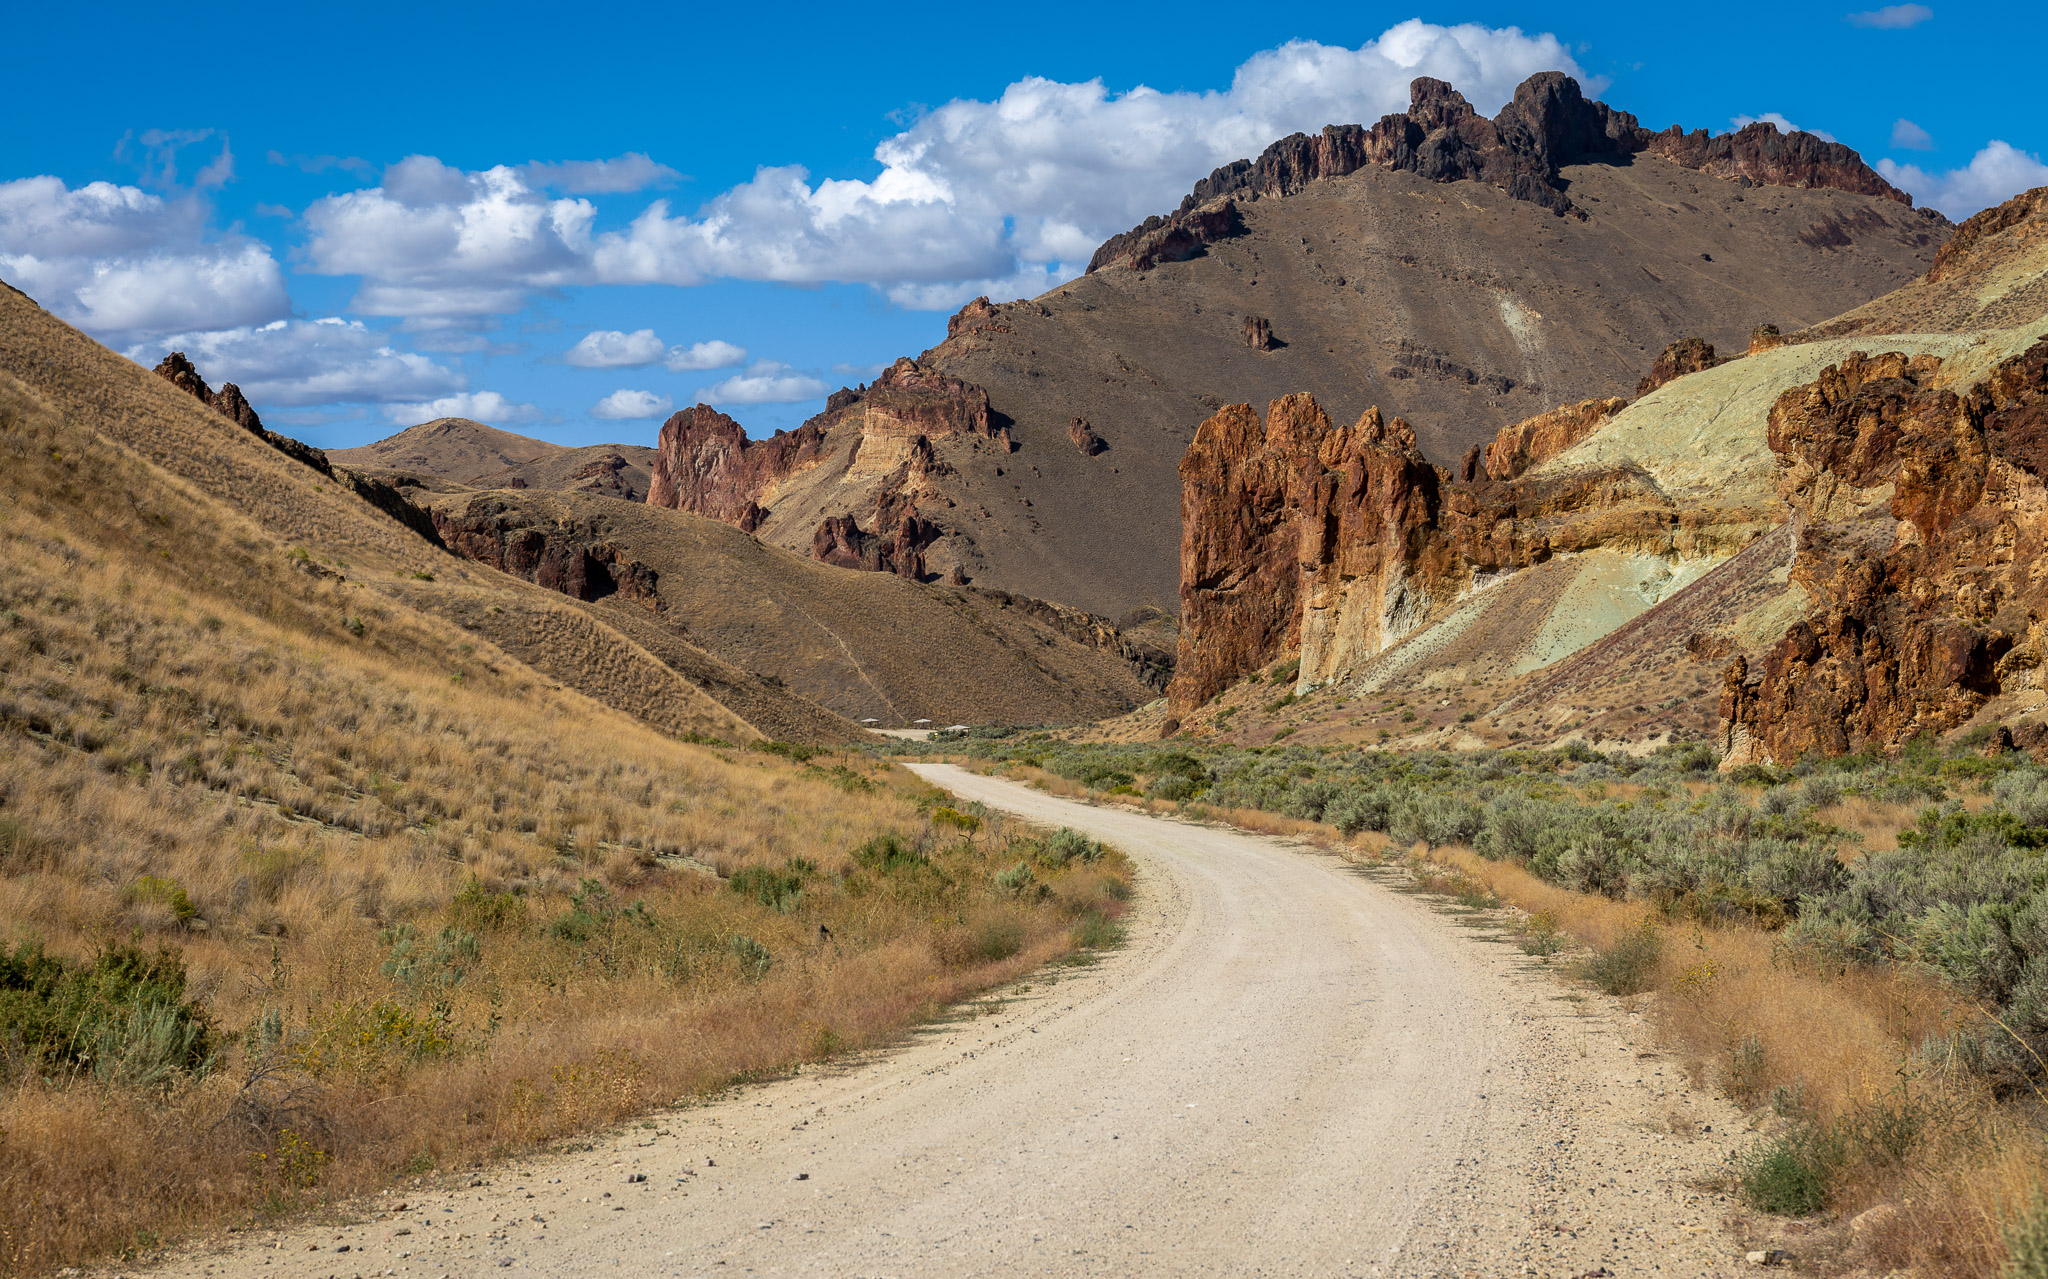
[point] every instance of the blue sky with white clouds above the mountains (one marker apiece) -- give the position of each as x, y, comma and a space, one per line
570, 222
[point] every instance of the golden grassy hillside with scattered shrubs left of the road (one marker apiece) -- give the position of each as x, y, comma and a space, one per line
304, 885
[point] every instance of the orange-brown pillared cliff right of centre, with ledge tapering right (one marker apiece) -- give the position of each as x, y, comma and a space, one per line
1338, 543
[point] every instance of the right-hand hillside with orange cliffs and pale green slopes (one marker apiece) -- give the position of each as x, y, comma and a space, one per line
1832, 527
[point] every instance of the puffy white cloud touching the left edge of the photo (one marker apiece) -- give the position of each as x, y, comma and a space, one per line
124, 263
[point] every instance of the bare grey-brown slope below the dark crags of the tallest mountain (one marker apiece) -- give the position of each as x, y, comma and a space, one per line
1447, 304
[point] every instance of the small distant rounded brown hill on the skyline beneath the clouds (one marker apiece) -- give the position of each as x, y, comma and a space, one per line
484, 457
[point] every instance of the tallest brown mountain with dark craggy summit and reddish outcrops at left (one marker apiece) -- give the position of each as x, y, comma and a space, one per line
1453, 271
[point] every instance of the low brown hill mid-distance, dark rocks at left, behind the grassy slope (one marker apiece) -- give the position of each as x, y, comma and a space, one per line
867, 646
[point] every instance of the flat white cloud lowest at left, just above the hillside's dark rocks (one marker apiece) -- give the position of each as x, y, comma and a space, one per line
306, 363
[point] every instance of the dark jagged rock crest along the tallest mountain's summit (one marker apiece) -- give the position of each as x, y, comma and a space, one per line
1441, 138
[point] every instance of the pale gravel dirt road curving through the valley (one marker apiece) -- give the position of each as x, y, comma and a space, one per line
1289, 1071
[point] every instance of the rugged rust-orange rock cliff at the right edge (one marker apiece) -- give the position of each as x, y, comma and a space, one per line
1922, 523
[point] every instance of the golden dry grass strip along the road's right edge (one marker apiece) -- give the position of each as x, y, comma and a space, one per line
1777, 1028
